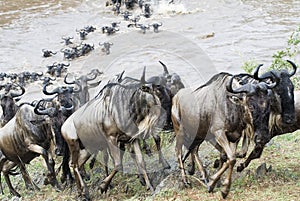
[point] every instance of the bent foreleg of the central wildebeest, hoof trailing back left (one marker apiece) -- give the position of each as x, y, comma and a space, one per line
116, 156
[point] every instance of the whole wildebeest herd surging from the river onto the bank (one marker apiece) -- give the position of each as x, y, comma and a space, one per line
127, 111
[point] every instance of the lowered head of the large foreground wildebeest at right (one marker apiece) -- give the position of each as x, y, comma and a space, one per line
255, 99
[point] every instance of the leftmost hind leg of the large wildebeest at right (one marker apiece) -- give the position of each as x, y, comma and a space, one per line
178, 149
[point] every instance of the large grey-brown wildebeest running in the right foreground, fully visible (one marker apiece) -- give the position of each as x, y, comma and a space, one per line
218, 113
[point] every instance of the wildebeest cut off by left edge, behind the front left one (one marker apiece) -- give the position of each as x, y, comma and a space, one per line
8, 101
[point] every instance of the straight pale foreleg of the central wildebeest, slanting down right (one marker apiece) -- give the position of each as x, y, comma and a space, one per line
141, 163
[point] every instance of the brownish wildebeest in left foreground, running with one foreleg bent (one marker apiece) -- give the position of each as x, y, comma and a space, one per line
26, 136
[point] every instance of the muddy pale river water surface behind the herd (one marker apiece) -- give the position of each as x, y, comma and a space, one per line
209, 35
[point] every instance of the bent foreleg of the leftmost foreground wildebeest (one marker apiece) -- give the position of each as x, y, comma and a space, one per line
49, 161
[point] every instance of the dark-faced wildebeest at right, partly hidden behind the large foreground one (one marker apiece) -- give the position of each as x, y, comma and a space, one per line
282, 117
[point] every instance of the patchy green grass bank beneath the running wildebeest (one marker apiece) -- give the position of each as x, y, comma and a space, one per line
281, 183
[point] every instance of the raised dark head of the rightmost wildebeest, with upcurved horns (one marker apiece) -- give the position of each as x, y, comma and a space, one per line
283, 94
